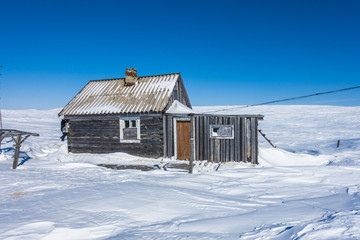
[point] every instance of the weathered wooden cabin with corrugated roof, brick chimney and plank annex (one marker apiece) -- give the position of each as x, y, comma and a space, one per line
151, 116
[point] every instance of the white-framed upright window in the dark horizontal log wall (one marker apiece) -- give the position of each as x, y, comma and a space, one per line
130, 129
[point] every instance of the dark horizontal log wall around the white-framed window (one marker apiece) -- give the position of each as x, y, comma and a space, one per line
102, 135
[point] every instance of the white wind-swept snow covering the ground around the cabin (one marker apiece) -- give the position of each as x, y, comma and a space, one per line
305, 189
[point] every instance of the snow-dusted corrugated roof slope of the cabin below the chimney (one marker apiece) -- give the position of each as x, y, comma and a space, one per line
150, 93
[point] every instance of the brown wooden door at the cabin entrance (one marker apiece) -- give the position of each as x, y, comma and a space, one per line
183, 140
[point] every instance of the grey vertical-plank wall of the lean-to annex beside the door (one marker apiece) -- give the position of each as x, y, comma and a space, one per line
242, 147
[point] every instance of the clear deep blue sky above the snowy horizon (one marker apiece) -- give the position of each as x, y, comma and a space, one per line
228, 52
